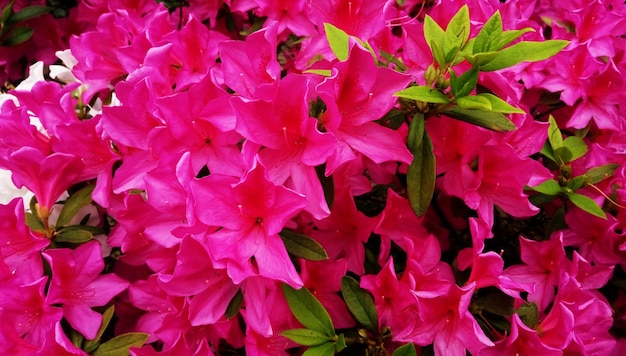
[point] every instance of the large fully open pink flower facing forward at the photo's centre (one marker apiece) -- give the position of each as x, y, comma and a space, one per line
251, 212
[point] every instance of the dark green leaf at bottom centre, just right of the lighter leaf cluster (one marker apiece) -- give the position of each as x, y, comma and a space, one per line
360, 303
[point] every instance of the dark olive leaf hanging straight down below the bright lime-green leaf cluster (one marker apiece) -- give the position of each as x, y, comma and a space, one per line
421, 173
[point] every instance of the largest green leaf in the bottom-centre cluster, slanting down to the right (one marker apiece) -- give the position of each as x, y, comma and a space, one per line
308, 310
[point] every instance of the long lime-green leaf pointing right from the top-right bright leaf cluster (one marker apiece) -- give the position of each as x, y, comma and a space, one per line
526, 51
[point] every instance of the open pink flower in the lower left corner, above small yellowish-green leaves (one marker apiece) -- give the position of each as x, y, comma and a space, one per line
78, 286
